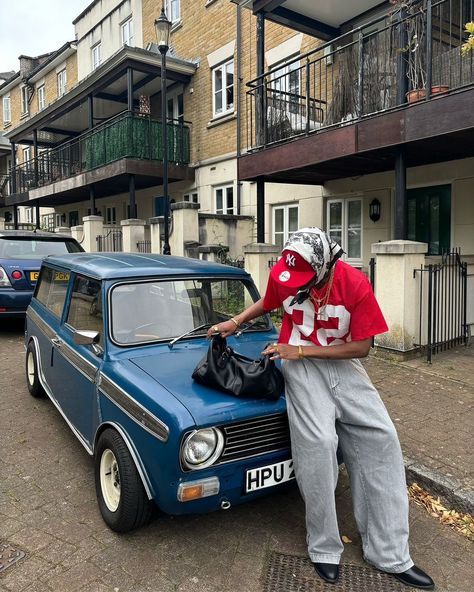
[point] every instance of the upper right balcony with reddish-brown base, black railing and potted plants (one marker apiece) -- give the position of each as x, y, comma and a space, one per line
398, 79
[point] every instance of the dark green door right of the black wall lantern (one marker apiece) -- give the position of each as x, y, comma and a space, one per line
429, 217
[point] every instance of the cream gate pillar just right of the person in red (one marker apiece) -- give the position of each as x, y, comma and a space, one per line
398, 291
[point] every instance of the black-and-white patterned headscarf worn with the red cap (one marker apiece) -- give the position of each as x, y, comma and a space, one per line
315, 247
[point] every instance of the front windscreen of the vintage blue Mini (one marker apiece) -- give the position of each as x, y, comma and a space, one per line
142, 312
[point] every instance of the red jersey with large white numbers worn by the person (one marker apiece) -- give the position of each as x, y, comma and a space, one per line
351, 314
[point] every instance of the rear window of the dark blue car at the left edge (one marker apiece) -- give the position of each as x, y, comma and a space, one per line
35, 247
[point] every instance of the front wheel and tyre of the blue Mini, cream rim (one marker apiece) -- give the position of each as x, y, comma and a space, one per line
122, 499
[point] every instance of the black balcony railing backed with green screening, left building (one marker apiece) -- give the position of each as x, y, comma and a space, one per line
128, 135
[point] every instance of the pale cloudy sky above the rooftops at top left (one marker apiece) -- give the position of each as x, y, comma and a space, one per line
33, 27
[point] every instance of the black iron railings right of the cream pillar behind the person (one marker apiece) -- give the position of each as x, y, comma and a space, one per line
443, 304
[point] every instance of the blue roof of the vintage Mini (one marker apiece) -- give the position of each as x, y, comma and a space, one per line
132, 265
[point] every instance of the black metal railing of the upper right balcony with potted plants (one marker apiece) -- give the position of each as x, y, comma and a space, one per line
367, 71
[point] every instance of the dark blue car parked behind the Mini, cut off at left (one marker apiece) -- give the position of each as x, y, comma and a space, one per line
21, 253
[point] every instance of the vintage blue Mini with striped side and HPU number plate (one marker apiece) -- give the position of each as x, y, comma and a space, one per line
113, 340
